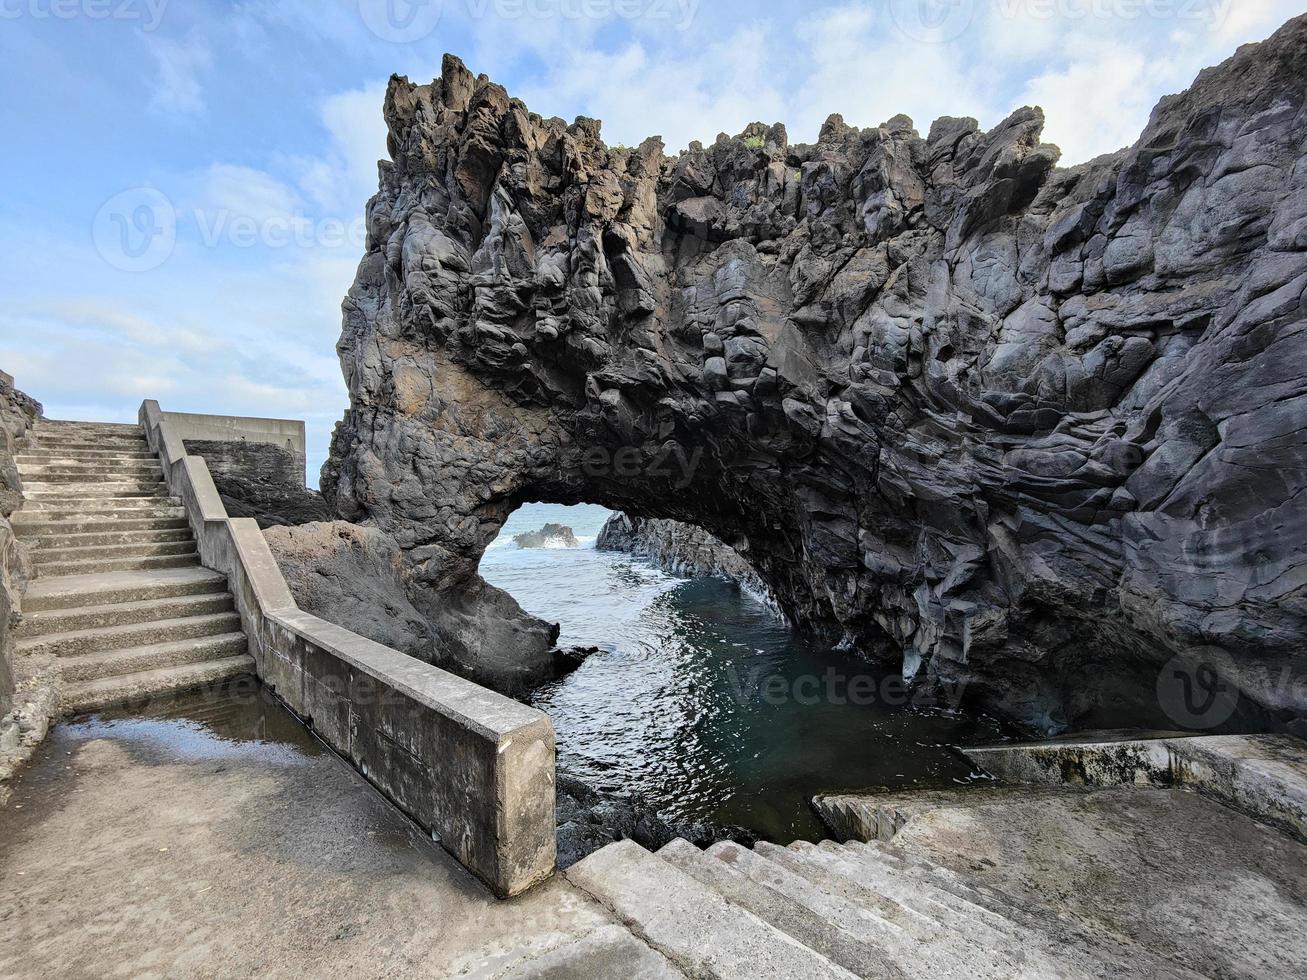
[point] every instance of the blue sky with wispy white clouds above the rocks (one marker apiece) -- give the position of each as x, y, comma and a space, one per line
186, 180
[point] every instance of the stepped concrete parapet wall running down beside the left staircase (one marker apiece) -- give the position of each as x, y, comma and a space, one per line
471, 766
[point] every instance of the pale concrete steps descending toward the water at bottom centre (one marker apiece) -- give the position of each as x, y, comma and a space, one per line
836, 910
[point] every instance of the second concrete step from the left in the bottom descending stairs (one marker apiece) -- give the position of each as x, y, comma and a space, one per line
857, 953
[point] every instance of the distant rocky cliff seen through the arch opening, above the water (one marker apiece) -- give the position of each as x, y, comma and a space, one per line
682, 549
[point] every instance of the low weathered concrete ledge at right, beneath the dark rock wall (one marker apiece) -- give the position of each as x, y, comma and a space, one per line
1263, 776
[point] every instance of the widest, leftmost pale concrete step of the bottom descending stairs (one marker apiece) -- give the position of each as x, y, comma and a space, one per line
695, 927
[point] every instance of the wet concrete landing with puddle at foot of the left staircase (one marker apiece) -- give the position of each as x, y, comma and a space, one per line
218, 838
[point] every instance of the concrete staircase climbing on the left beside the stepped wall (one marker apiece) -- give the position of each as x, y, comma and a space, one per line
121, 598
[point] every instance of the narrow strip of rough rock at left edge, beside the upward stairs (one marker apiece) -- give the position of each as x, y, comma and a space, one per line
18, 415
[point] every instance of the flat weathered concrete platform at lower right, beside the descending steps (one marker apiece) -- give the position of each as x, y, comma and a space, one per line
1172, 871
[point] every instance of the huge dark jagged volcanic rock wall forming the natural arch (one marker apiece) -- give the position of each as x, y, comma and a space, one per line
1027, 428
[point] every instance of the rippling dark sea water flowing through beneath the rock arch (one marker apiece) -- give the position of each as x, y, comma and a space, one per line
708, 706
